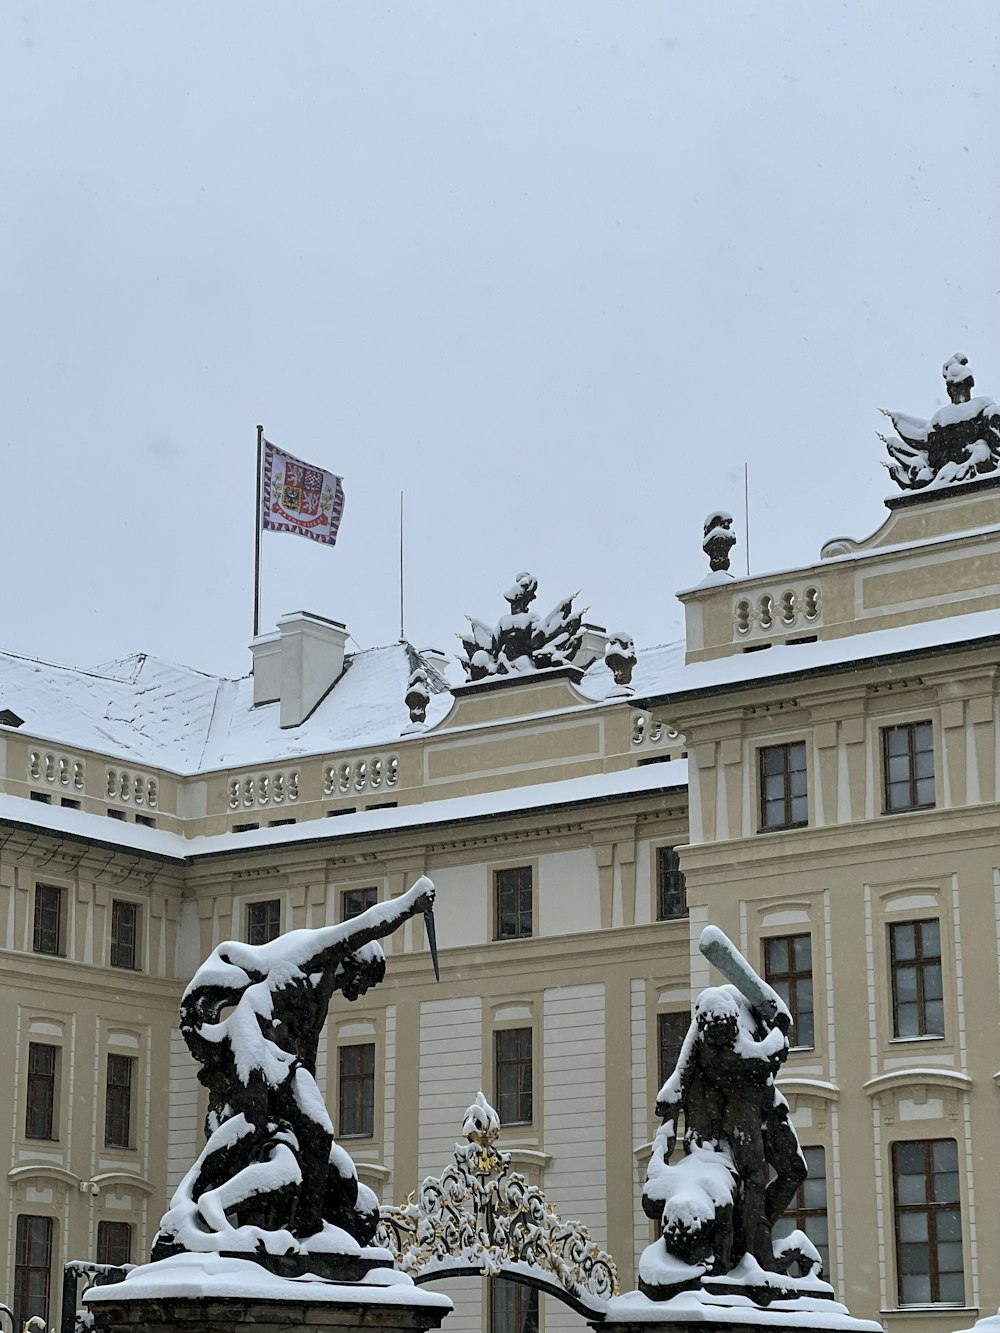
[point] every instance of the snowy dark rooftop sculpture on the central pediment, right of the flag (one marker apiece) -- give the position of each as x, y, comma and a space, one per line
523, 642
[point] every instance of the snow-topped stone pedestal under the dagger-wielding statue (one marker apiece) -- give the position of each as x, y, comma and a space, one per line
214, 1294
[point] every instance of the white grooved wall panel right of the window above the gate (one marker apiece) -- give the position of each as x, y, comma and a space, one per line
575, 1118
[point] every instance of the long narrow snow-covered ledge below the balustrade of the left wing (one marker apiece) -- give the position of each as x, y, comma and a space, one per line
158, 843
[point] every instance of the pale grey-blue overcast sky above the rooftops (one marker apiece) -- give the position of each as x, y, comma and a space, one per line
555, 271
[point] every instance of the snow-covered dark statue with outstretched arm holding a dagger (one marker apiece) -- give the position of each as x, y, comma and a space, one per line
273, 1184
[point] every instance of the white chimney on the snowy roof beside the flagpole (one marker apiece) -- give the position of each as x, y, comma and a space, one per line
299, 665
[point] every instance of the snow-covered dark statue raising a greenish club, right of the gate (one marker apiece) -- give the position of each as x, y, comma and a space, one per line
717, 1207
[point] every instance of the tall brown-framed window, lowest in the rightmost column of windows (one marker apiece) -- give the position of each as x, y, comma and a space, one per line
929, 1223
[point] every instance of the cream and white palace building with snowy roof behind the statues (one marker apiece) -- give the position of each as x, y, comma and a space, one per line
815, 771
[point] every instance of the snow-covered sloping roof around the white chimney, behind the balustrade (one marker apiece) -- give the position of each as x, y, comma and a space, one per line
153, 714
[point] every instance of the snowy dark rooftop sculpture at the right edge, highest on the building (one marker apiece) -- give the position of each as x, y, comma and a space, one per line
961, 443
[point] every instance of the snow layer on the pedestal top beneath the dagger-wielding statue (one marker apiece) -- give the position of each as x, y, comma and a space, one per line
211, 1275
